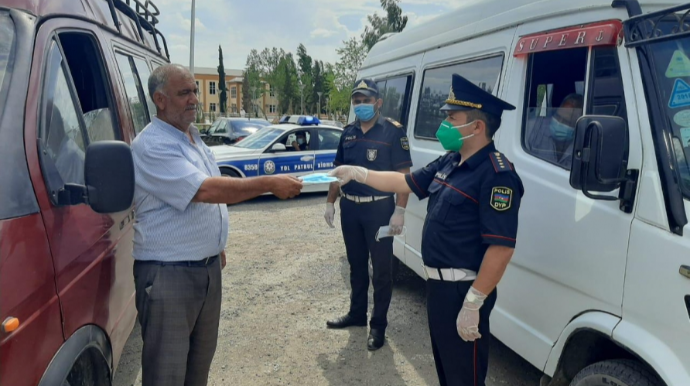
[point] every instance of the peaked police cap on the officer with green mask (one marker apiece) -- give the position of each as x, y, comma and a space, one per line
465, 95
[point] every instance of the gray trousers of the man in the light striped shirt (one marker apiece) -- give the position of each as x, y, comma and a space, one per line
179, 312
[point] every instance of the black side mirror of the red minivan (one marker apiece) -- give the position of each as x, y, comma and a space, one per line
109, 176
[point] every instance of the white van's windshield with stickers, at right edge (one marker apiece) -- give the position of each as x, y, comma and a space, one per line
673, 72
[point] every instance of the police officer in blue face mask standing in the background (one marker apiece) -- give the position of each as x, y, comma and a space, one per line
376, 143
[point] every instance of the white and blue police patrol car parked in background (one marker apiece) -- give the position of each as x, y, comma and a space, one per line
271, 150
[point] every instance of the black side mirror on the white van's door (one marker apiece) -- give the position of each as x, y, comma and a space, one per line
600, 158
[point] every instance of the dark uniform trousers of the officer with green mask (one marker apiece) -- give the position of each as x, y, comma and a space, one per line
458, 363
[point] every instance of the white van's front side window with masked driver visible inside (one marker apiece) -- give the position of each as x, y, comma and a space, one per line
556, 95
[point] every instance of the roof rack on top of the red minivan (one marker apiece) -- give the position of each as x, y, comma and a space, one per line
145, 15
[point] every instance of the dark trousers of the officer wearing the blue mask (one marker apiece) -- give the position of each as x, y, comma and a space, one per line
360, 222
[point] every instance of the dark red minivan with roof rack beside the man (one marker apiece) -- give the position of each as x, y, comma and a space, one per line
73, 95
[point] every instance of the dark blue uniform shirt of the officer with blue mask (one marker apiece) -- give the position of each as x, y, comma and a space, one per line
383, 148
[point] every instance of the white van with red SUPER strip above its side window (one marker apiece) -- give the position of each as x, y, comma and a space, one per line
588, 282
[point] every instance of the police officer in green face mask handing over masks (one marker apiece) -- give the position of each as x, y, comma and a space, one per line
469, 232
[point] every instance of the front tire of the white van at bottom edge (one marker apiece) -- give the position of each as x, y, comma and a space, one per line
620, 372
